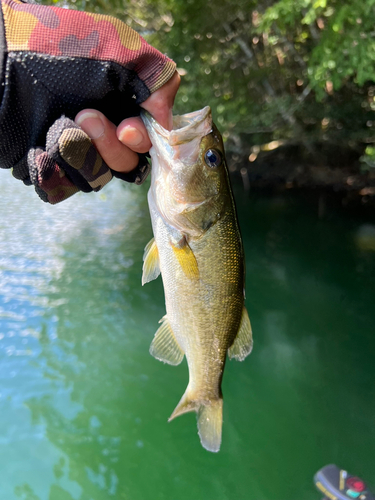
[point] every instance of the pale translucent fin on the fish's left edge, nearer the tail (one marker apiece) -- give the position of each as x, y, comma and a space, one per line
165, 347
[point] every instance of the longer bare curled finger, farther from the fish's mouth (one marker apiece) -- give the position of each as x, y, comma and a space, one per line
102, 132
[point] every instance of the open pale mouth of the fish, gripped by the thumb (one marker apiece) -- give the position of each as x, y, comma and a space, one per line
185, 129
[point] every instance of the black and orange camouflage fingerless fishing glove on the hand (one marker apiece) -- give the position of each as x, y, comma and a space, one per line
56, 62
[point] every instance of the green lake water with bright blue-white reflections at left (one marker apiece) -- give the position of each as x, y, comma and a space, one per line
84, 407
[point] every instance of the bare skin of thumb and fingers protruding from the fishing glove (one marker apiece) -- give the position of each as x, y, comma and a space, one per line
119, 146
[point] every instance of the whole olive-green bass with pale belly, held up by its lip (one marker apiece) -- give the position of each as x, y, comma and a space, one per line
197, 249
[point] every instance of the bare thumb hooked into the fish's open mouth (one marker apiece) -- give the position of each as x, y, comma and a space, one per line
160, 103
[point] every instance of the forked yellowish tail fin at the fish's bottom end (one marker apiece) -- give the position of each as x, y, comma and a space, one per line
210, 419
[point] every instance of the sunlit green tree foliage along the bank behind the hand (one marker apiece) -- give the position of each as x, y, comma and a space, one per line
300, 70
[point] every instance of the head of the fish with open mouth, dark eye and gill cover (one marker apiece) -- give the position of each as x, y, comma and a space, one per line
189, 174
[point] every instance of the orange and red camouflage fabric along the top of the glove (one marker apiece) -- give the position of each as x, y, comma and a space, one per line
62, 32
